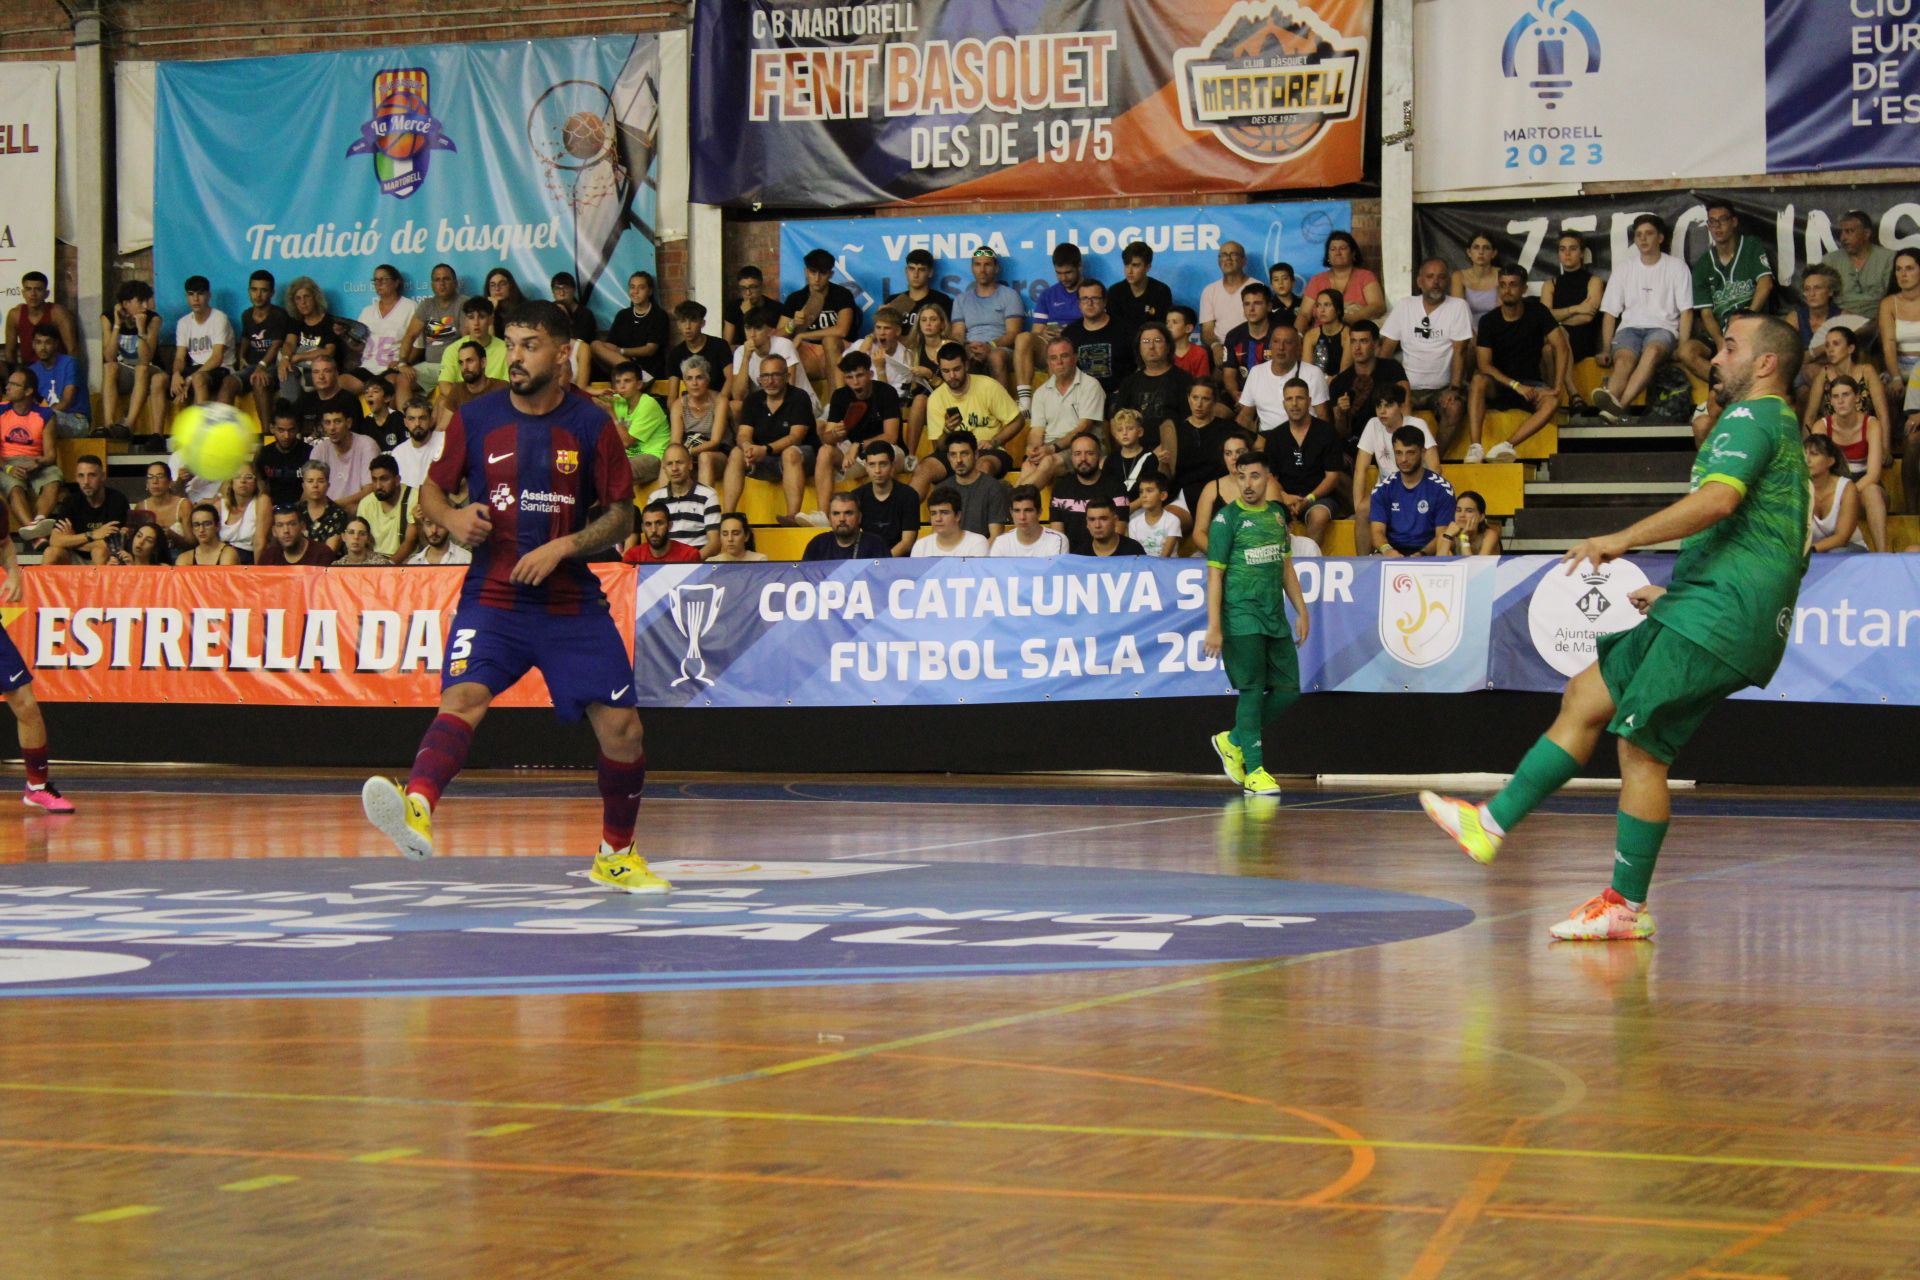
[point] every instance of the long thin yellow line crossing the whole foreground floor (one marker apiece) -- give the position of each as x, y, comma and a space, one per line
1011, 1127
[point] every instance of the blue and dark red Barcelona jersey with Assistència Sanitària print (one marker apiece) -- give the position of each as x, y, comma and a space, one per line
539, 475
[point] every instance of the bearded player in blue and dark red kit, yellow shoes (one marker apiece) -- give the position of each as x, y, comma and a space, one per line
537, 458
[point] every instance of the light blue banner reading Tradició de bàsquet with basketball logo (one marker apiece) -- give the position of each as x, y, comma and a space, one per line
537, 156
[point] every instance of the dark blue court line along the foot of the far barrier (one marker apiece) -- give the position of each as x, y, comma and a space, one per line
1099, 795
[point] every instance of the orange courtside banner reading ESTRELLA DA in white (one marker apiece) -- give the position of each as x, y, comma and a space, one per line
256, 636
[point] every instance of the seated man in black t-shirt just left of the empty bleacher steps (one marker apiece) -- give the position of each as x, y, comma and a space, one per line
1508, 375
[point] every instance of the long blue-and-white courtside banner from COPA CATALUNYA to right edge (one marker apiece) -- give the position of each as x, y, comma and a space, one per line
949, 632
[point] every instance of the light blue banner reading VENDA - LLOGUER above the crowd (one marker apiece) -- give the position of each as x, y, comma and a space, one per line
1186, 241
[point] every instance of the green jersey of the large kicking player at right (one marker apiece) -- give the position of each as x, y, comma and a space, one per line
1737, 582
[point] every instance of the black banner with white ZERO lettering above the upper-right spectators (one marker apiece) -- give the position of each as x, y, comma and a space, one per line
1796, 224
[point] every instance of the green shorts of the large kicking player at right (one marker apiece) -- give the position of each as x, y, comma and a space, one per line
1662, 686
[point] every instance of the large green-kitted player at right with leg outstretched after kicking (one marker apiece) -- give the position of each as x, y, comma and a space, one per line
1717, 628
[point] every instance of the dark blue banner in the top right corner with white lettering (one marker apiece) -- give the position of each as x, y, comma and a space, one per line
1842, 85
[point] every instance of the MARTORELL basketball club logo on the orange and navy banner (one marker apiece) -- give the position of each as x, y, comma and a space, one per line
1270, 80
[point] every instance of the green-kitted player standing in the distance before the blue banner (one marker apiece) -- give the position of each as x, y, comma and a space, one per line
1247, 573
